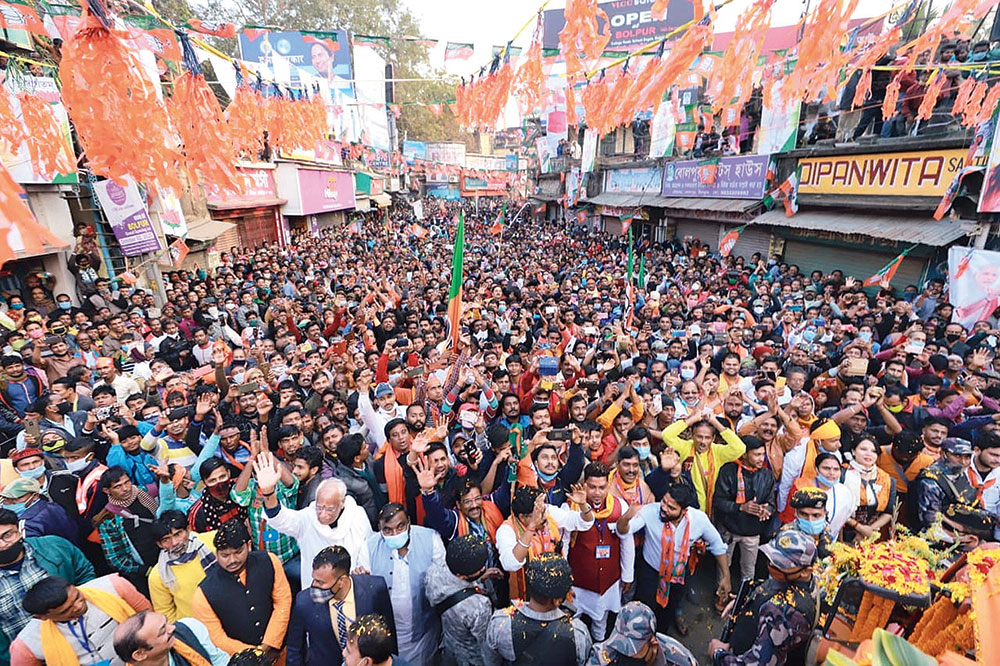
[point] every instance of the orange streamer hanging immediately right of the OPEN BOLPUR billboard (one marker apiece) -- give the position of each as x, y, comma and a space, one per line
729, 76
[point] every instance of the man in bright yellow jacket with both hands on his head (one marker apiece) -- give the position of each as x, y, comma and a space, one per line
708, 455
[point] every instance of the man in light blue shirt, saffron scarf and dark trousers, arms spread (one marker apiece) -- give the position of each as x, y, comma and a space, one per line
671, 527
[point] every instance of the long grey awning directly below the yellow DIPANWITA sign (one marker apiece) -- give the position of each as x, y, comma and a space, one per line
899, 228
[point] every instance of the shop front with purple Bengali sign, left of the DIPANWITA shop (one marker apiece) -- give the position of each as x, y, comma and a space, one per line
704, 200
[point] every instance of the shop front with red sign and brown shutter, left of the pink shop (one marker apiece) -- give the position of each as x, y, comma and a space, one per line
255, 212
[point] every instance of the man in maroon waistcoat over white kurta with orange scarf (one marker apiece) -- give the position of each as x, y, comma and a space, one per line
600, 557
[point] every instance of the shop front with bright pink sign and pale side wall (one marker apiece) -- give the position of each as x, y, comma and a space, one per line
316, 196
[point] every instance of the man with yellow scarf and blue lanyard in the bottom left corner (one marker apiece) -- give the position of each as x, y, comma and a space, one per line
74, 625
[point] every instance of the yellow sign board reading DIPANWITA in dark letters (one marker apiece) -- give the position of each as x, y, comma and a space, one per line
920, 174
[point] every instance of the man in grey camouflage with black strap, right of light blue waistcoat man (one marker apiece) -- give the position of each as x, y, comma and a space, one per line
452, 588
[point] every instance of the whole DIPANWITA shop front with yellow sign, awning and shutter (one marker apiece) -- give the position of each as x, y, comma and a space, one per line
859, 210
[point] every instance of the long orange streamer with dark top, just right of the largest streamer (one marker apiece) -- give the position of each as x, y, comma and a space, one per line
198, 119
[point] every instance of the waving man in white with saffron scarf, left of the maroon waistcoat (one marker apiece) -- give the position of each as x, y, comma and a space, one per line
535, 527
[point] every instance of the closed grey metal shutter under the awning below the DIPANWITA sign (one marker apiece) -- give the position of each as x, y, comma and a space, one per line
853, 261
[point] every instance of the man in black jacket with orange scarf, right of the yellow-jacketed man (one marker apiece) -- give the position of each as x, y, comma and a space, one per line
744, 503
